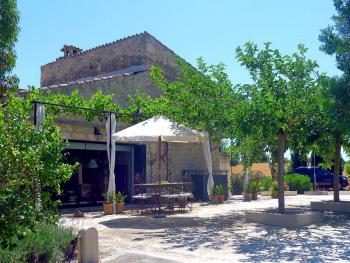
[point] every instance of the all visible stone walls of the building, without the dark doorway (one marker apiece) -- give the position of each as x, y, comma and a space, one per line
121, 68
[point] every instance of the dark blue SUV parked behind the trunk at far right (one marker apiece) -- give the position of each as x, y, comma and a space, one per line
324, 178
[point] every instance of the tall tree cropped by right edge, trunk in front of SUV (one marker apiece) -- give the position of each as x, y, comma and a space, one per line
335, 40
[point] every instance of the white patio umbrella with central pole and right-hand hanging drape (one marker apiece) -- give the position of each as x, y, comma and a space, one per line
161, 129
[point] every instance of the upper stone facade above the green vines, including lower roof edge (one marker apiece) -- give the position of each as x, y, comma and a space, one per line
120, 68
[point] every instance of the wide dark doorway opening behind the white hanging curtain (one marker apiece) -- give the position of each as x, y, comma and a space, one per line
89, 183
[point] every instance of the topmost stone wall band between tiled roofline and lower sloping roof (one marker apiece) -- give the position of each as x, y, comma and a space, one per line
141, 49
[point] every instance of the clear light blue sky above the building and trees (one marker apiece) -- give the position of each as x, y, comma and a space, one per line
192, 28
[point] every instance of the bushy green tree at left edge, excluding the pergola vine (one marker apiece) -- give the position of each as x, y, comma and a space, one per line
25, 154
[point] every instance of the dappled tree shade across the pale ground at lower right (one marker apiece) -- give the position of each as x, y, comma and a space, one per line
326, 241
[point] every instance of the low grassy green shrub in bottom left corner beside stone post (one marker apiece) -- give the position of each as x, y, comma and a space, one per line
46, 242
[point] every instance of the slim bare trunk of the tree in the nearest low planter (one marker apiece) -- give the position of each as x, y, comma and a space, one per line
281, 149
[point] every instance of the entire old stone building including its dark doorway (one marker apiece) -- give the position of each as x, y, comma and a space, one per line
121, 68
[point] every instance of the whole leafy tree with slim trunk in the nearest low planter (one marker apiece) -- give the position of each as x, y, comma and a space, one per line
280, 99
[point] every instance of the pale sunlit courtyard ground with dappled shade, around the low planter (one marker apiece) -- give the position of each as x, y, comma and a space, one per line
219, 233
